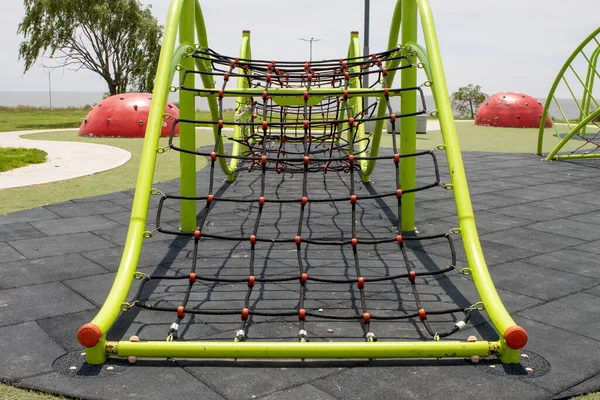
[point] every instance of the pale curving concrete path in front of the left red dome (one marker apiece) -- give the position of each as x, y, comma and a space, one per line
66, 160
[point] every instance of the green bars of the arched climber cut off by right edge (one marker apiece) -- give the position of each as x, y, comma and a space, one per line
587, 111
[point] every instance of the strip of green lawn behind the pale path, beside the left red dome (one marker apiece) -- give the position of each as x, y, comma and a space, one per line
32, 118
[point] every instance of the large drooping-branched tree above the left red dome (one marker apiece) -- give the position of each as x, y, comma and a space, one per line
117, 39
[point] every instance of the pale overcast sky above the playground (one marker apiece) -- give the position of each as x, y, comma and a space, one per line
508, 45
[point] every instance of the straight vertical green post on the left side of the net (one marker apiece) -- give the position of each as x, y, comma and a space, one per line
187, 132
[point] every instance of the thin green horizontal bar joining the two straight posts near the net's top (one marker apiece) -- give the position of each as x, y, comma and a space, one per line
362, 92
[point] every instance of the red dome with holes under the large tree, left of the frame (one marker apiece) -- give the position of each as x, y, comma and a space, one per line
125, 115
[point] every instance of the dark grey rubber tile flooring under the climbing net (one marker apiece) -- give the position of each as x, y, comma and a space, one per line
538, 230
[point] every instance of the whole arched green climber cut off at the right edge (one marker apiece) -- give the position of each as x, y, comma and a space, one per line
578, 76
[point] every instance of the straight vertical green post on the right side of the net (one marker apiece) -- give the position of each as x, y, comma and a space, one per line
408, 125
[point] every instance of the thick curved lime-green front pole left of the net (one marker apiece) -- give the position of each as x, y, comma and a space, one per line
112, 306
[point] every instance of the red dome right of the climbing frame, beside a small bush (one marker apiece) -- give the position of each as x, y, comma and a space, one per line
511, 110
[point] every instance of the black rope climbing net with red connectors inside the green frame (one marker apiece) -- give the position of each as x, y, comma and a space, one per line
298, 240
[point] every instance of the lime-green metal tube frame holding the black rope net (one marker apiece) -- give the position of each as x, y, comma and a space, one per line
186, 16
